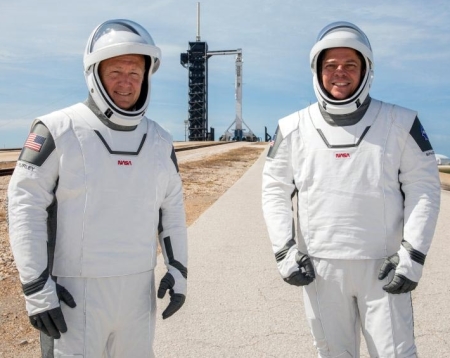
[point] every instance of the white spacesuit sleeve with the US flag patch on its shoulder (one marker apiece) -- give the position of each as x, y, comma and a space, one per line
30, 194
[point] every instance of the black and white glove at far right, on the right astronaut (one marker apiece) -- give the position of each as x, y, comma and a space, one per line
408, 265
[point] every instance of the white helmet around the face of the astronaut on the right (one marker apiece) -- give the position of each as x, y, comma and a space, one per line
342, 34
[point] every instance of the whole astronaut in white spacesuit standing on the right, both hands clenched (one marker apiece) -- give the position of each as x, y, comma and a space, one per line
368, 197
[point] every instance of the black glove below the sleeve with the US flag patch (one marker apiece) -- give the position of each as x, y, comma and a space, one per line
52, 322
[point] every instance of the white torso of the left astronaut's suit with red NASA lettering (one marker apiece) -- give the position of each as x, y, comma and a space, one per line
120, 183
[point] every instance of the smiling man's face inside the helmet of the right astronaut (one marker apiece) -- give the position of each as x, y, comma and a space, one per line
341, 72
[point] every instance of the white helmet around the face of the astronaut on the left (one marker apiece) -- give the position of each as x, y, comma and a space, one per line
115, 38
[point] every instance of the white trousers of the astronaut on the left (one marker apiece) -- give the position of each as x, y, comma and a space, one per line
114, 317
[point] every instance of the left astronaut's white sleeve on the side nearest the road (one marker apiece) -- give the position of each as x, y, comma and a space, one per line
172, 228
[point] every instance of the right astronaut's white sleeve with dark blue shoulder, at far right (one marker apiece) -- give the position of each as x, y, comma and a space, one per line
419, 178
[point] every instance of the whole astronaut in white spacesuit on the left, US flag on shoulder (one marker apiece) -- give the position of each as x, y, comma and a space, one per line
95, 185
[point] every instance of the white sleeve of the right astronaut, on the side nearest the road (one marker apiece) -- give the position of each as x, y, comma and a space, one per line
277, 189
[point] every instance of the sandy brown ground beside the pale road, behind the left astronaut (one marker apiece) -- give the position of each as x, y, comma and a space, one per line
206, 176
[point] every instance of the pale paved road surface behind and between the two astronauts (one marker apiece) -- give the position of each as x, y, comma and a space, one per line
238, 306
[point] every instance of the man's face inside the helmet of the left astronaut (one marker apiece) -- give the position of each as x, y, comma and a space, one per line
122, 78
